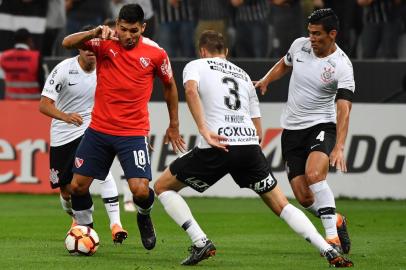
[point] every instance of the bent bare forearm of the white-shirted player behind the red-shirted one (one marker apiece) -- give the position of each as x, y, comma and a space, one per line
47, 107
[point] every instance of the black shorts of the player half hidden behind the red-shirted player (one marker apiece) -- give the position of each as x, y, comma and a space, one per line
61, 160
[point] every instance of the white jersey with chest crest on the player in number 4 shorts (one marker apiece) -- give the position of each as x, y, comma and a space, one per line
313, 85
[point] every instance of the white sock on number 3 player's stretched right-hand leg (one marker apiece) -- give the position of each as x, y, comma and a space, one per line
298, 221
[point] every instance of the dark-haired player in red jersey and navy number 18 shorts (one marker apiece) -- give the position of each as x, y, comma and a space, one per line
127, 64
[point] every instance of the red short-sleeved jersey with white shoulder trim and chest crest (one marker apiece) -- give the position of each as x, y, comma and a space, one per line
124, 85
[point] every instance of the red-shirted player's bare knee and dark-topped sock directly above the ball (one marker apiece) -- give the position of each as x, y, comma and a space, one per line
82, 204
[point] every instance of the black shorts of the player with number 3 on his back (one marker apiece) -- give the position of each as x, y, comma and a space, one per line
202, 168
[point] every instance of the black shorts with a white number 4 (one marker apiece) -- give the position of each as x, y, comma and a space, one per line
298, 144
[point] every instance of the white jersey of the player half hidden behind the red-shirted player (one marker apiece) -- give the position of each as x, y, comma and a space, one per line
72, 89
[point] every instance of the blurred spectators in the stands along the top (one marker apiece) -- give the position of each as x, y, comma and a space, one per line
254, 28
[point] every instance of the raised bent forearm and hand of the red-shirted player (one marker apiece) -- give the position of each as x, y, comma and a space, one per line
77, 40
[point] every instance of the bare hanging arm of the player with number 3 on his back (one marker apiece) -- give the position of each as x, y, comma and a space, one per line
196, 108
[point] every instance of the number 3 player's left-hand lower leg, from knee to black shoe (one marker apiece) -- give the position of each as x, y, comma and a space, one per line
166, 188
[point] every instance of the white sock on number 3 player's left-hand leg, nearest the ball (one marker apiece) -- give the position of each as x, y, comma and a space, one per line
179, 211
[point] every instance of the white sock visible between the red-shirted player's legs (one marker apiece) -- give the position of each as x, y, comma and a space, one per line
109, 195
